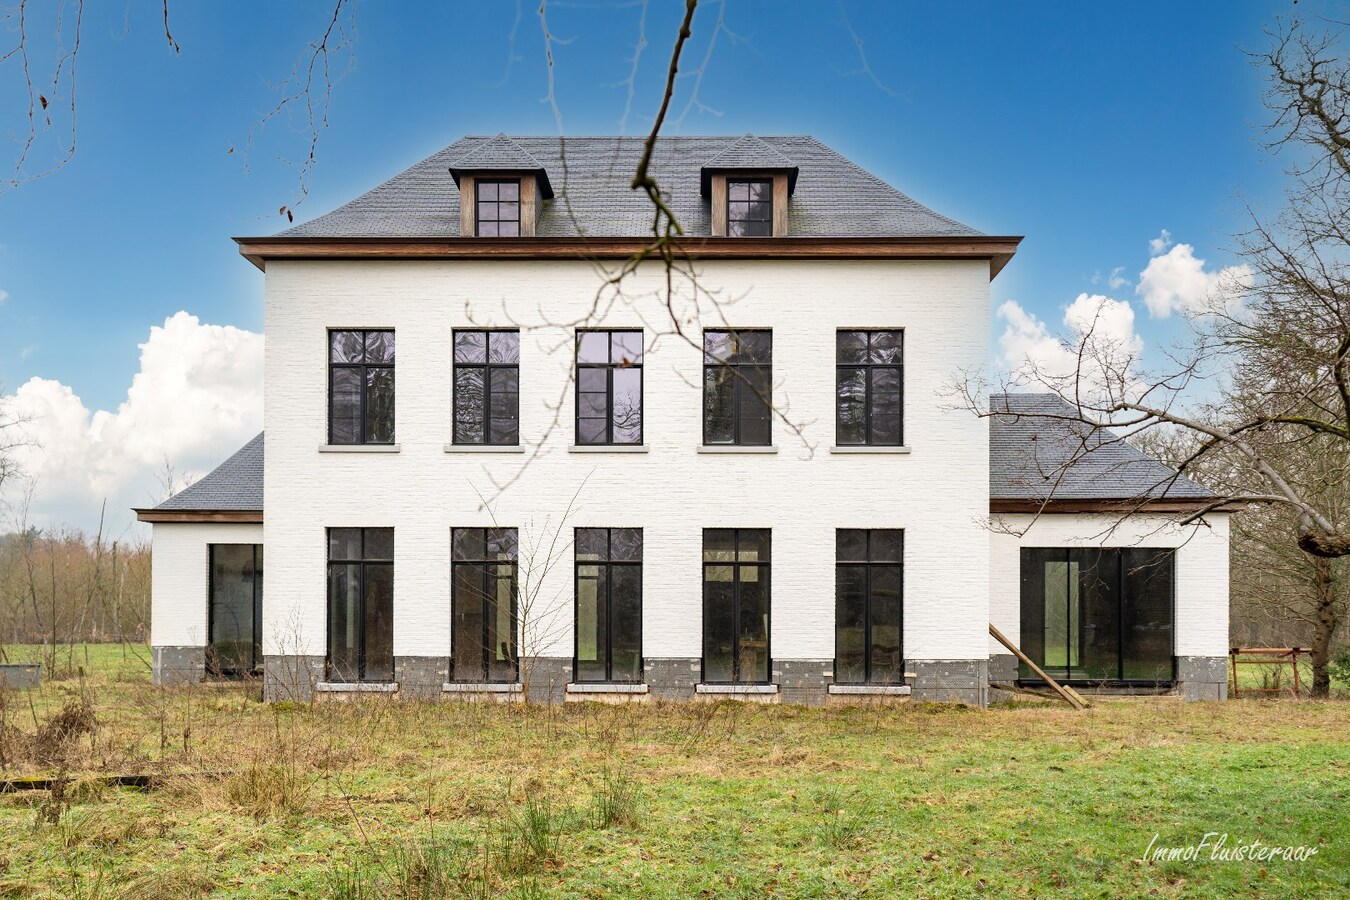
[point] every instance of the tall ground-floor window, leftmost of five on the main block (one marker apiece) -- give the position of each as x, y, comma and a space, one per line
361, 605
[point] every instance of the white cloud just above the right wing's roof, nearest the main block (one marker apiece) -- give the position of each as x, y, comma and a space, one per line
1031, 353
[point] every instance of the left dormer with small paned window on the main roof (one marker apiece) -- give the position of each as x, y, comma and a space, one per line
502, 187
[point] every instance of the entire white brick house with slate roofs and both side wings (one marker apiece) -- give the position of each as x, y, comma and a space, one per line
774, 504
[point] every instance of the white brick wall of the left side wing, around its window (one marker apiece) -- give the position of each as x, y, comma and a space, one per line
180, 577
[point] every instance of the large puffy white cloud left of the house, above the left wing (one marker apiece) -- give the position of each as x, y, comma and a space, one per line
196, 399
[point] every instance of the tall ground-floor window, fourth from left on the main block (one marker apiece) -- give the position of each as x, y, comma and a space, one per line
736, 605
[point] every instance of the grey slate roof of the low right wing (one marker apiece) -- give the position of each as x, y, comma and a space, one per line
1035, 457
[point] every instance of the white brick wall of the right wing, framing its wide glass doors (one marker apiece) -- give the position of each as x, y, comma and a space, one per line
1202, 569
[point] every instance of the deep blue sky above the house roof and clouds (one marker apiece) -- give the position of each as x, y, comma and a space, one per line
1086, 128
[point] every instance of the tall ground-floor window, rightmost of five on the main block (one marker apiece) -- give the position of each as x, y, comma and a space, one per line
869, 607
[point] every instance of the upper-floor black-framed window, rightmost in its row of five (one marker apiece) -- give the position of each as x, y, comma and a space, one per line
870, 388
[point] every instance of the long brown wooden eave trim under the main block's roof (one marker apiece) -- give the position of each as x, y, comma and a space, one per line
998, 250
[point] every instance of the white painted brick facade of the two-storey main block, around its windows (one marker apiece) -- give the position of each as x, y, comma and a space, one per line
939, 493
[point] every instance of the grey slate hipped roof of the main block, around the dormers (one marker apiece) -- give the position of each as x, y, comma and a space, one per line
834, 198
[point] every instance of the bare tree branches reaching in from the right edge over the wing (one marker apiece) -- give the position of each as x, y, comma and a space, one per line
1287, 331
